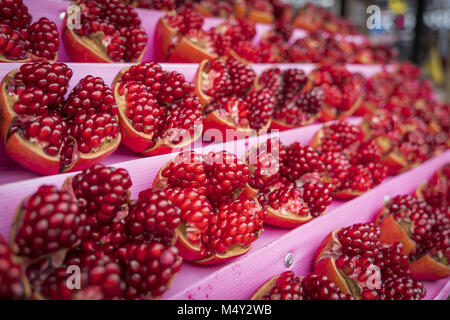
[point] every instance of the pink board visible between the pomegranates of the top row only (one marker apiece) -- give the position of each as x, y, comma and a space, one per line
55, 10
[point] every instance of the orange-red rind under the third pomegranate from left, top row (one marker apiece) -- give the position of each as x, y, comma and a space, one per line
187, 51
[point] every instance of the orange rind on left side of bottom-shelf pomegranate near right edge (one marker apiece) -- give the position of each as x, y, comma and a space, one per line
391, 232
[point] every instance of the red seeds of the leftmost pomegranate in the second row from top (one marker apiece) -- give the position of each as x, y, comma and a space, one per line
87, 117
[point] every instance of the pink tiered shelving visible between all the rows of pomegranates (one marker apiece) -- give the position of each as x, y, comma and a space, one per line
239, 278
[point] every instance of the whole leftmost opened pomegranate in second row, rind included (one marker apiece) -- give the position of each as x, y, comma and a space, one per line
47, 134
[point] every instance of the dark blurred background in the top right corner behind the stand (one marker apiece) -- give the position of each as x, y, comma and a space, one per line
417, 29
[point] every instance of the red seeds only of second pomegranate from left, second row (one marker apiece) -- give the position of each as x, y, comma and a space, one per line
159, 103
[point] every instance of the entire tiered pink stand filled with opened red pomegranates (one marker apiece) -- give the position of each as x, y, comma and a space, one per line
313, 146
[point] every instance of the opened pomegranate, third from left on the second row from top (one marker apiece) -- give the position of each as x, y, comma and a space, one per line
235, 111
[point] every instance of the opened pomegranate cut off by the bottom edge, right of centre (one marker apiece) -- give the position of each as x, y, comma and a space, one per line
287, 286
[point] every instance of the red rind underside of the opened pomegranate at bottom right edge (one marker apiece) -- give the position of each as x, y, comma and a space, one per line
428, 269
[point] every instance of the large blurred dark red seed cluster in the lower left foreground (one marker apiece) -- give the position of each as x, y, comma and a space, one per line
124, 248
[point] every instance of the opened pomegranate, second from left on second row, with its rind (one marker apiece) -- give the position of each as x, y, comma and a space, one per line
157, 110
